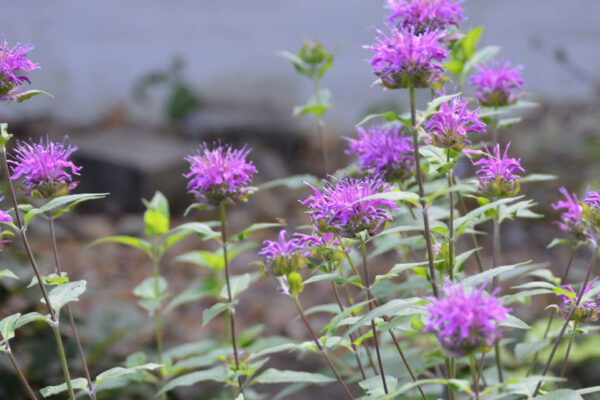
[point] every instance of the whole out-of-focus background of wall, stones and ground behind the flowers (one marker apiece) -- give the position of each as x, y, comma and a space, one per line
137, 85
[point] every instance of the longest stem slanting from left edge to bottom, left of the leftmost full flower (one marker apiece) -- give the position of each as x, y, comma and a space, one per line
41, 283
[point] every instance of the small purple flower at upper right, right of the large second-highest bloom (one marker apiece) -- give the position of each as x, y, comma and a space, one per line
496, 83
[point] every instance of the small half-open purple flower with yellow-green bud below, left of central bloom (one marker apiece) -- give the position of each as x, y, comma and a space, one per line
283, 260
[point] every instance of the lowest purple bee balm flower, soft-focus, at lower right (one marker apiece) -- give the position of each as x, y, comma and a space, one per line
464, 323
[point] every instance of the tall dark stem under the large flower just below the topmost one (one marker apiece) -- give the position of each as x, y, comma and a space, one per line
413, 118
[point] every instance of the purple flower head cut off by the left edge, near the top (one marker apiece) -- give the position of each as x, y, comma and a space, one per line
13, 64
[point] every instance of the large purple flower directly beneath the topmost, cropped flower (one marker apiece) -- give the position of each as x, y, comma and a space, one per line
405, 58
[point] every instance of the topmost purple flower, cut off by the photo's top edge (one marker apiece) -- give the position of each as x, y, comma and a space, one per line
425, 14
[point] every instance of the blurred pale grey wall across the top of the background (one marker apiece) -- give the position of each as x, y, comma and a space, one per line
91, 52
